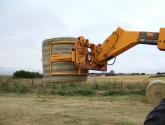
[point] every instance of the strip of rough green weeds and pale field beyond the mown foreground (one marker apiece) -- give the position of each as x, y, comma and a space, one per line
135, 84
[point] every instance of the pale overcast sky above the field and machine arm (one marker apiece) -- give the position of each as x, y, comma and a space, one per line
24, 24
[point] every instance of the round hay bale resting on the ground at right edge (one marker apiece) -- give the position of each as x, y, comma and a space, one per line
155, 91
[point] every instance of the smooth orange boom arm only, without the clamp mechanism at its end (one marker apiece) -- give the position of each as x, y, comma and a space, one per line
122, 40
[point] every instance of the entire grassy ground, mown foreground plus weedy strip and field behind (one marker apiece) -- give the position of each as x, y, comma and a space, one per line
116, 100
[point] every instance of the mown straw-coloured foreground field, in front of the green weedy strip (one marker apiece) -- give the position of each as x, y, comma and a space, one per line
63, 110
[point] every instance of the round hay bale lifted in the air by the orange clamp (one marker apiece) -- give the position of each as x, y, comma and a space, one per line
59, 66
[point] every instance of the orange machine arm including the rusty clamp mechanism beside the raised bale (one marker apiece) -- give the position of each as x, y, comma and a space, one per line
89, 56
